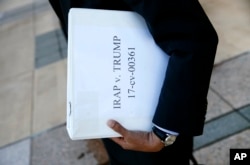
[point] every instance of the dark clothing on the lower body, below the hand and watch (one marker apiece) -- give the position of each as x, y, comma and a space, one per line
178, 153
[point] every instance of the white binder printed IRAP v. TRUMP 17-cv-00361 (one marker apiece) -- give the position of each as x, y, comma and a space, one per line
115, 71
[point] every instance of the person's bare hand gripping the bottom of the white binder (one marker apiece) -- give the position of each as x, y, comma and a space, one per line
135, 140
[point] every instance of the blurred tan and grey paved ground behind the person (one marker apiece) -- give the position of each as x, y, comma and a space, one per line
33, 64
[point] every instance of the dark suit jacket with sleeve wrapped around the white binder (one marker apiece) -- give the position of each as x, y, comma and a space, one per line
182, 29
